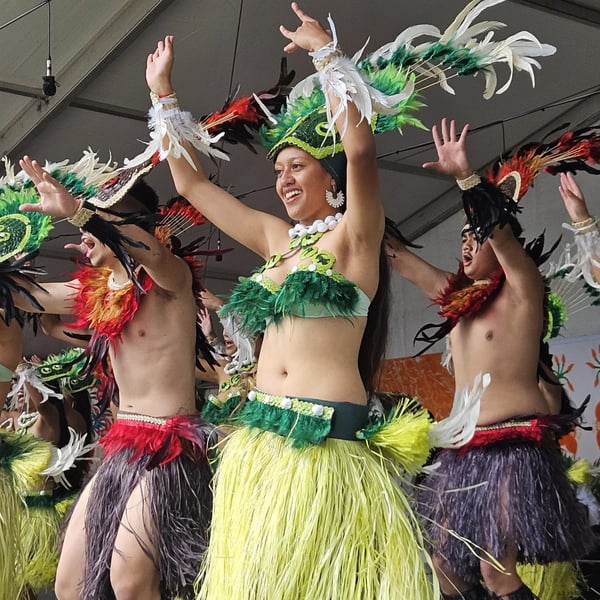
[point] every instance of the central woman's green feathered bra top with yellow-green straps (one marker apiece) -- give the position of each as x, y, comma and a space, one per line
310, 290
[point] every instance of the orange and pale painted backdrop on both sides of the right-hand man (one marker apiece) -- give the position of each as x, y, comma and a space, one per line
576, 364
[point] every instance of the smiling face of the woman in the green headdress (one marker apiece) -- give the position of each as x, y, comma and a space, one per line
301, 184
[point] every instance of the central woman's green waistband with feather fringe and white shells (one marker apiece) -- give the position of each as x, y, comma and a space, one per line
304, 419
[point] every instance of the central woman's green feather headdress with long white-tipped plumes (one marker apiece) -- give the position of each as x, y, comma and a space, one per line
395, 76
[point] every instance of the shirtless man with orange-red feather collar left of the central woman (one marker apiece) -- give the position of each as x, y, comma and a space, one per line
138, 529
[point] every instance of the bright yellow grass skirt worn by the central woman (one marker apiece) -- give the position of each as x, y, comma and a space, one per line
319, 522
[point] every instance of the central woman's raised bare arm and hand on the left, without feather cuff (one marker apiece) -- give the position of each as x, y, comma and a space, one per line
254, 229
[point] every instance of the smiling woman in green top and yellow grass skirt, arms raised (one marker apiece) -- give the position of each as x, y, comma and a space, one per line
303, 509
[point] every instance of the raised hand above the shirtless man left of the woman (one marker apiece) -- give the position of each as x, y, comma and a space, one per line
55, 199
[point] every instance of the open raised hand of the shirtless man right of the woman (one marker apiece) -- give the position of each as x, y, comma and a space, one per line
452, 153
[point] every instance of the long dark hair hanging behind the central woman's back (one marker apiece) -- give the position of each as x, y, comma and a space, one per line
372, 347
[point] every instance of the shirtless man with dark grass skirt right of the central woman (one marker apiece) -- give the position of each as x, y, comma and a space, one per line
505, 491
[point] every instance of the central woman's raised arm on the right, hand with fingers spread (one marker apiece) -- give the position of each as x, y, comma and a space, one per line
364, 210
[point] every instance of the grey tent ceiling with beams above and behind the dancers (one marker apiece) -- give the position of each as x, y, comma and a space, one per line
99, 51
